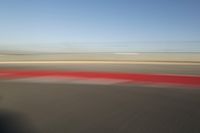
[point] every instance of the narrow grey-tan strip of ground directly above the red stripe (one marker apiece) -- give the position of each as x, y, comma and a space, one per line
128, 68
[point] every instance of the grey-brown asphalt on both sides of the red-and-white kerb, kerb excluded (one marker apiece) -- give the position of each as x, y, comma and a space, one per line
82, 108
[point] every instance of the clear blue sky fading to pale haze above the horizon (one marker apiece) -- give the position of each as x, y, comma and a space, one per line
100, 25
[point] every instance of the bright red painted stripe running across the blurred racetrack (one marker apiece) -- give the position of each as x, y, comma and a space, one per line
131, 77
